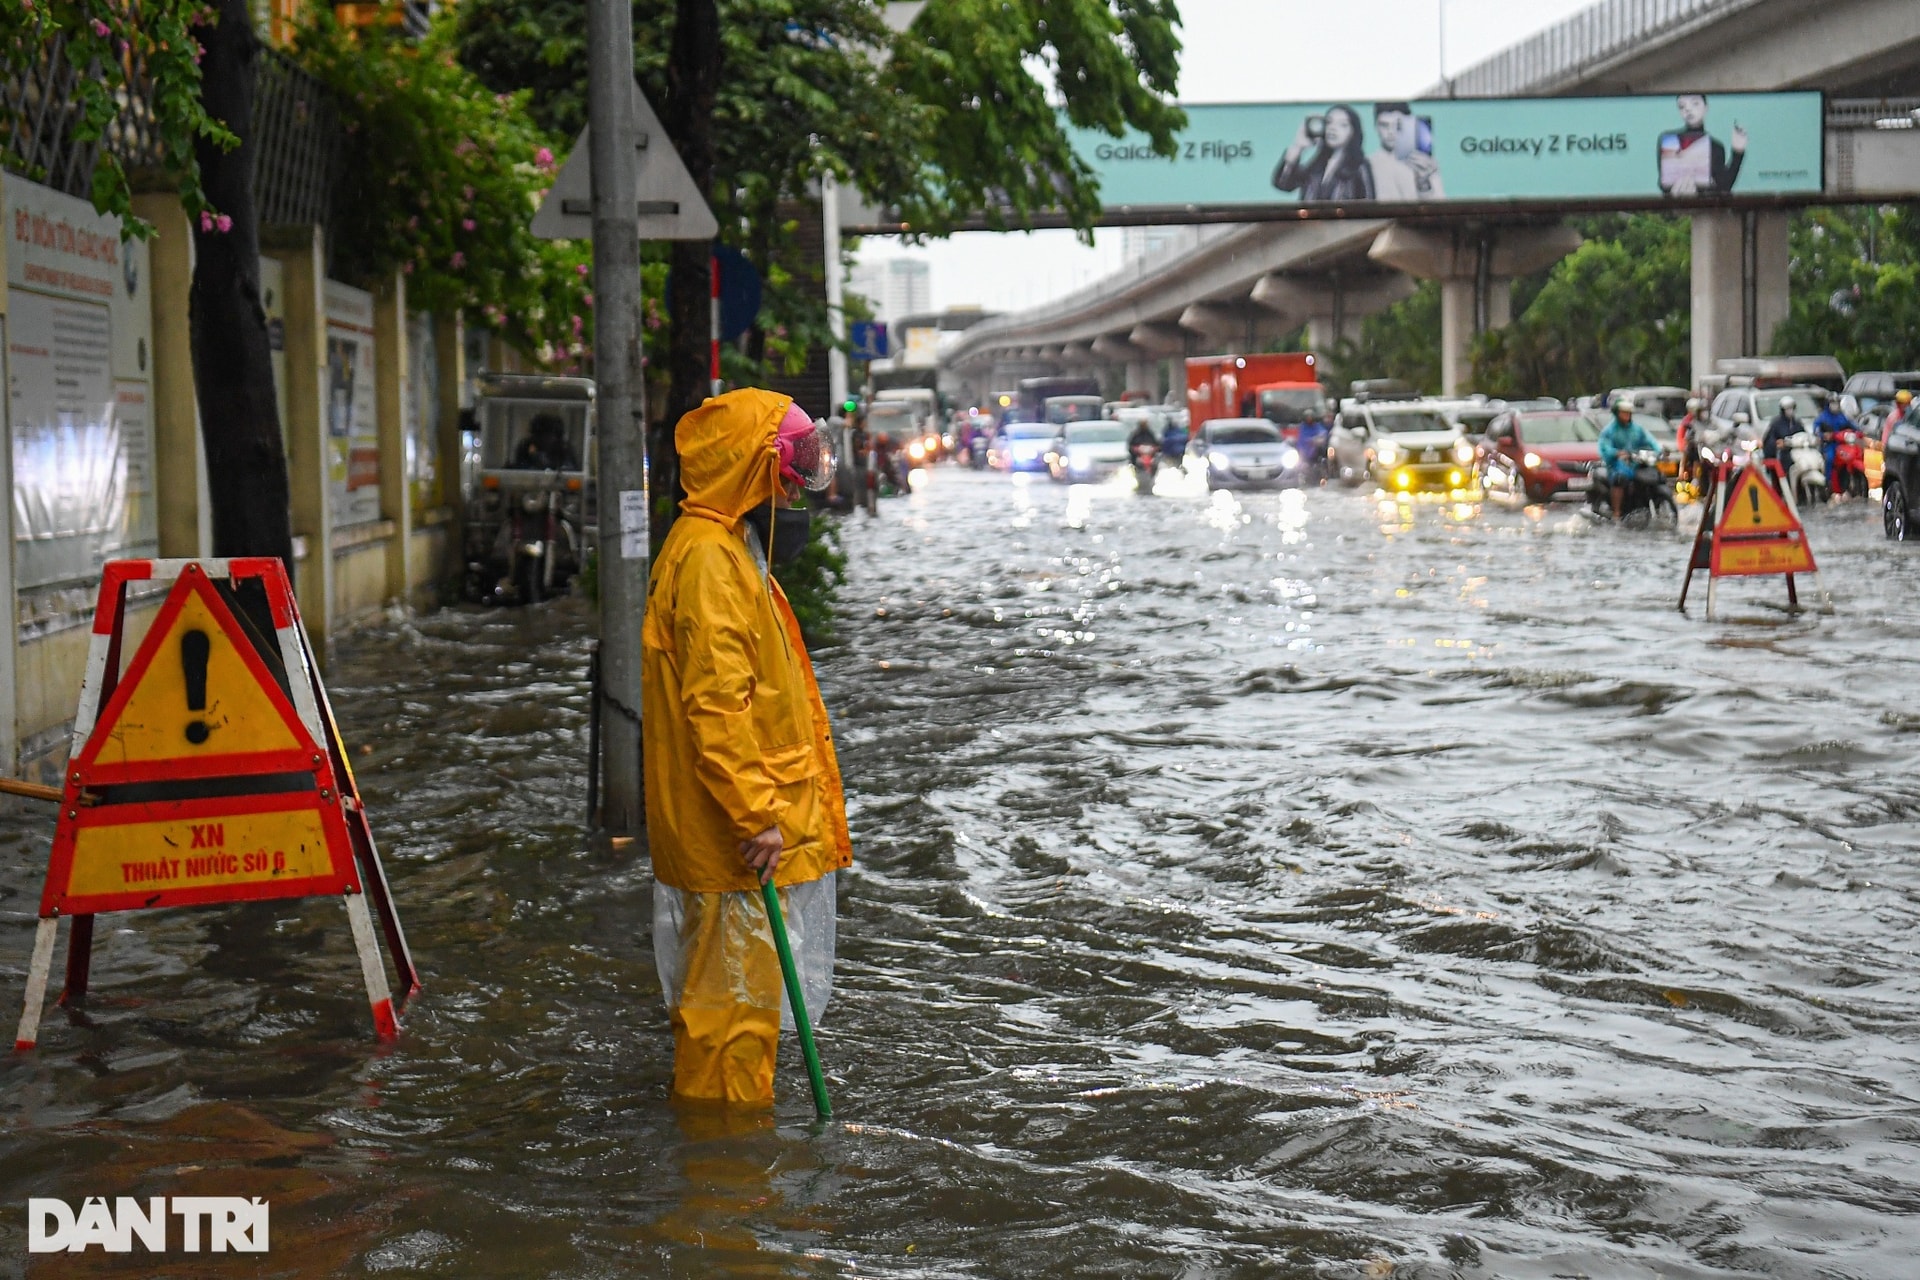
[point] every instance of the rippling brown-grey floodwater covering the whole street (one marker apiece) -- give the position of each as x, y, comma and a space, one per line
1260, 886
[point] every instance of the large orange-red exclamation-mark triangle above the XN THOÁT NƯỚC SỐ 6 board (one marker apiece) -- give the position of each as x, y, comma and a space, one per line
197, 701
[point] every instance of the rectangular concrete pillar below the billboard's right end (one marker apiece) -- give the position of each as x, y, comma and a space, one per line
1740, 283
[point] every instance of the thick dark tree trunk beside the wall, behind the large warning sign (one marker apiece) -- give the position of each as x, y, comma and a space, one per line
233, 364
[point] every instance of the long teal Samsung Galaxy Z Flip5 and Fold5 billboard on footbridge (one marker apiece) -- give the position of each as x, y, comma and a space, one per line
1495, 151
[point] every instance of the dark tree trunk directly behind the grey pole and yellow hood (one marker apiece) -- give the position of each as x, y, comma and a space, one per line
694, 82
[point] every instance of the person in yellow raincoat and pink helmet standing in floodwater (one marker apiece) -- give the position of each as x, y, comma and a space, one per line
740, 769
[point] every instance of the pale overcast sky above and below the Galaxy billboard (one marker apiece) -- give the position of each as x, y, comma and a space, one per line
1245, 51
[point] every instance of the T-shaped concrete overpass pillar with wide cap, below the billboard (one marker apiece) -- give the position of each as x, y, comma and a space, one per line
1476, 268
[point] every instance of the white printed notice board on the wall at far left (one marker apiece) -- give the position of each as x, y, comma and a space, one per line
78, 392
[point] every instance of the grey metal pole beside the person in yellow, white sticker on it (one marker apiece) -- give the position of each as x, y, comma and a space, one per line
621, 392
